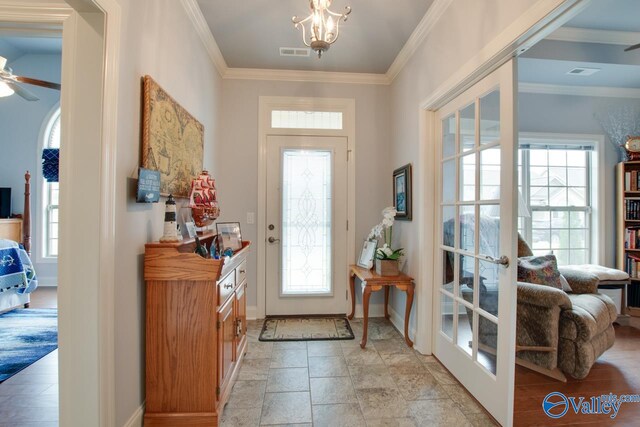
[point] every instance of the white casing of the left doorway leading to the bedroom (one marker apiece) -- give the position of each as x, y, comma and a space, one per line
86, 294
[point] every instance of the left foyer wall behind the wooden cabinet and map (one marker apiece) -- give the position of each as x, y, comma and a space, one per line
157, 39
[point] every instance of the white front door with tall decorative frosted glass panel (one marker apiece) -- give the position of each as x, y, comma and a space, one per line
306, 256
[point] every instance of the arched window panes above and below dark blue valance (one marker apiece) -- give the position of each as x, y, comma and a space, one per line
51, 193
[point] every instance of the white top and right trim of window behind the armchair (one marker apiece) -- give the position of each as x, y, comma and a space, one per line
598, 216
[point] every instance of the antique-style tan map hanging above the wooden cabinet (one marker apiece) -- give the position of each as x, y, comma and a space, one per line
172, 140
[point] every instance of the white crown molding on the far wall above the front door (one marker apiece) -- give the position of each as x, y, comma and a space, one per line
305, 76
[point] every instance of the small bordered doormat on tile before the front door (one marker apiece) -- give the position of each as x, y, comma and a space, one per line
306, 329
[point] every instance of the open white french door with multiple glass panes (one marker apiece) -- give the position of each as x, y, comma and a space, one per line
475, 300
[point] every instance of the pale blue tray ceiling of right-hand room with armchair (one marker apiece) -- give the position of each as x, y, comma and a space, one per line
549, 61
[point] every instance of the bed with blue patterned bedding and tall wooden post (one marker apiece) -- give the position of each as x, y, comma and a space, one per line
17, 279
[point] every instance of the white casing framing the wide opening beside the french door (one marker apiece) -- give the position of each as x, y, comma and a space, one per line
544, 17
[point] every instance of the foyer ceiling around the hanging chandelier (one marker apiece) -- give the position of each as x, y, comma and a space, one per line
250, 33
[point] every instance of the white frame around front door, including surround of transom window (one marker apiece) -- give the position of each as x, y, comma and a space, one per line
268, 103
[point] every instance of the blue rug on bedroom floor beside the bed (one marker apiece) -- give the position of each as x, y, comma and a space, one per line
26, 335
